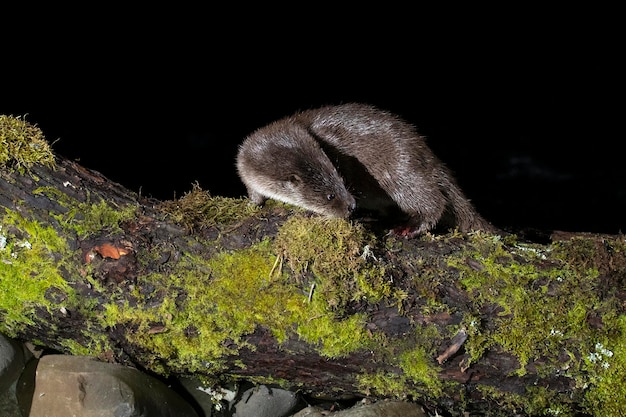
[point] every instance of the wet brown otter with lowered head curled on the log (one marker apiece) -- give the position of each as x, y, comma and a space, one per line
340, 159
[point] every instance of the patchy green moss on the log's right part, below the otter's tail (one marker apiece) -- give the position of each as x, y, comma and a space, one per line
540, 309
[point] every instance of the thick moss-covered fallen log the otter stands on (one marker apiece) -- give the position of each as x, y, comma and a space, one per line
211, 286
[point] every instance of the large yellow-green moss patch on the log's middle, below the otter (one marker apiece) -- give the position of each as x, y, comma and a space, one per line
207, 307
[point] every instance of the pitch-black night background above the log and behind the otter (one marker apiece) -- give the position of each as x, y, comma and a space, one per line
522, 105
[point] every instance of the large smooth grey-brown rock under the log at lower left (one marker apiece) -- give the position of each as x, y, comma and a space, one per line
82, 386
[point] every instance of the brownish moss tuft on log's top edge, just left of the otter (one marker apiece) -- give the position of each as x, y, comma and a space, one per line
197, 209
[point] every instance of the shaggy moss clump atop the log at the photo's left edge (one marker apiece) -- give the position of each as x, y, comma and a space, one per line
22, 145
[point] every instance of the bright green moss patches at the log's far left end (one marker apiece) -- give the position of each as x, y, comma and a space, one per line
32, 260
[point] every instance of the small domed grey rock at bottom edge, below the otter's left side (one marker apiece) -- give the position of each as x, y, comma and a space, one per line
263, 401
